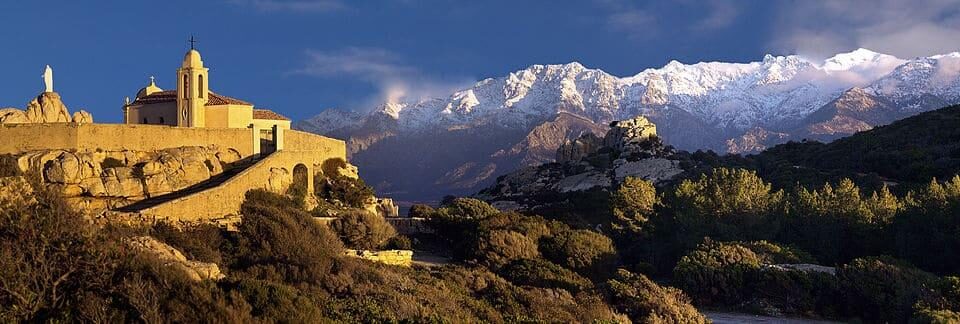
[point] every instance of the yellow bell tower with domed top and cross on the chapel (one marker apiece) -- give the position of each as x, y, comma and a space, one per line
193, 88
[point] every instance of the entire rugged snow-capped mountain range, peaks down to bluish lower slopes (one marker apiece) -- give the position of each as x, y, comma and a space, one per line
500, 123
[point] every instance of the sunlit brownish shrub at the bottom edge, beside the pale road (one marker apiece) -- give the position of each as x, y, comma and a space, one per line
646, 302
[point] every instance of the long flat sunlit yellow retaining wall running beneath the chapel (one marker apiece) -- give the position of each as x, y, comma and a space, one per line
18, 138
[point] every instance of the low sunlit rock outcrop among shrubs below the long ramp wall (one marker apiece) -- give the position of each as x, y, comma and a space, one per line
173, 258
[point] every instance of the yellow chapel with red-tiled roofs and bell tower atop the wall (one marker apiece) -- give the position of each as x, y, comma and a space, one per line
193, 104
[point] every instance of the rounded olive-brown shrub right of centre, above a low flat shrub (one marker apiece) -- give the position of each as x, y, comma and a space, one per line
587, 252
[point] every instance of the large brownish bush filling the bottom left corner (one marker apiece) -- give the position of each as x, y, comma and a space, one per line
51, 258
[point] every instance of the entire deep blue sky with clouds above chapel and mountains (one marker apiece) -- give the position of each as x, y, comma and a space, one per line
299, 57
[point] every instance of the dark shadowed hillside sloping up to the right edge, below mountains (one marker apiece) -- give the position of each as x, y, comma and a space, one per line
912, 150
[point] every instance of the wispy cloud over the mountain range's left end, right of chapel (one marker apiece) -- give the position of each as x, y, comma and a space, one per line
381, 68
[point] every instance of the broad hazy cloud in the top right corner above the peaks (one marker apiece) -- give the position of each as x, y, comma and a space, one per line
902, 28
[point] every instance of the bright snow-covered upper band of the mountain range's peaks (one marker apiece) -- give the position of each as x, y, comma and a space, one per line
739, 95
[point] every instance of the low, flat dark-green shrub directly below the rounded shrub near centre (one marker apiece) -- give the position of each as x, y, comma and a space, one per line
543, 274
